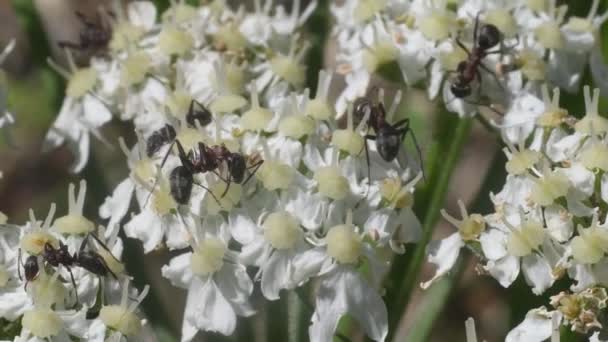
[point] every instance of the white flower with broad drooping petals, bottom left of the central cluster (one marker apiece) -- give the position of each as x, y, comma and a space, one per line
218, 286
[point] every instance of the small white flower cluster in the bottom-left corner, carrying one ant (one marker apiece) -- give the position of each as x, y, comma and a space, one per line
62, 278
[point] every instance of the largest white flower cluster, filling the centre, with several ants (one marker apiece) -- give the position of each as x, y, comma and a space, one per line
237, 166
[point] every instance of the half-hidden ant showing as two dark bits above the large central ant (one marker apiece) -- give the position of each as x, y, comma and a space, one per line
159, 138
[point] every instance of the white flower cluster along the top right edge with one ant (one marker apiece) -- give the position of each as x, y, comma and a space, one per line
428, 40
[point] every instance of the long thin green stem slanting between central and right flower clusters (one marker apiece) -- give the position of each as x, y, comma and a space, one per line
408, 283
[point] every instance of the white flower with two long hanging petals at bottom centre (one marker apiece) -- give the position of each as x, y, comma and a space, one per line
341, 288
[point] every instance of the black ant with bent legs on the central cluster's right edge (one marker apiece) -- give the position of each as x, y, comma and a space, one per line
388, 137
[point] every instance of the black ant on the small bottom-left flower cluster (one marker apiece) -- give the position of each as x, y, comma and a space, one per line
90, 261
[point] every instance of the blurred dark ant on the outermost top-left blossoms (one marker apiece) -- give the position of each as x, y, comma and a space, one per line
93, 37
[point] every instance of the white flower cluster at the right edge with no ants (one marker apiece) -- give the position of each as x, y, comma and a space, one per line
549, 221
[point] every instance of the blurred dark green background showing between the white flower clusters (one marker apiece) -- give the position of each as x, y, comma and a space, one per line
34, 180
